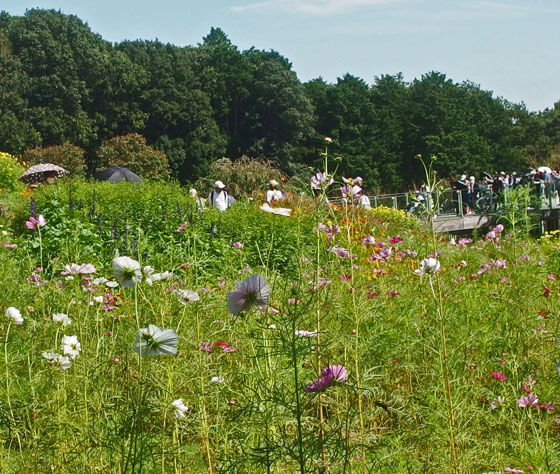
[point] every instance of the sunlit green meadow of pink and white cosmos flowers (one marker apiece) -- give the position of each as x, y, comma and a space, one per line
143, 335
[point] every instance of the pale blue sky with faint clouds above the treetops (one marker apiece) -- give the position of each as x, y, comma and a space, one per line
510, 47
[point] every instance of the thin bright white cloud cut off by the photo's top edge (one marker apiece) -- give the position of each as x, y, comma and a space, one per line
316, 7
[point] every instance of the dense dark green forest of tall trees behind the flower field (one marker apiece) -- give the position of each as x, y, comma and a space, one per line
63, 85
